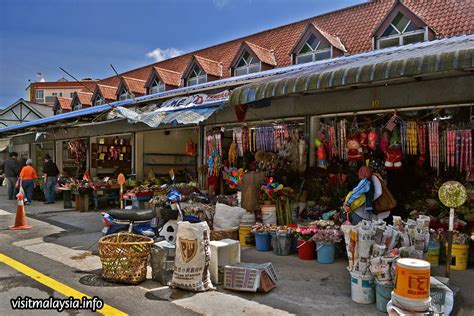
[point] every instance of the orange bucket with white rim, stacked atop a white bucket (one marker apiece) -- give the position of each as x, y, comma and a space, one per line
412, 280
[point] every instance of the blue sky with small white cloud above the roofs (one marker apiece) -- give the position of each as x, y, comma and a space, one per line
85, 36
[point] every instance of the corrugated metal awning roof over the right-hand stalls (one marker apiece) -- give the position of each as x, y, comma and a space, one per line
454, 53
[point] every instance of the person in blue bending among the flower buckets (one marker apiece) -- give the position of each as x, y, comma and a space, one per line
372, 188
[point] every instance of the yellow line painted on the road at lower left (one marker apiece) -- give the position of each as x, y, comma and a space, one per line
55, 285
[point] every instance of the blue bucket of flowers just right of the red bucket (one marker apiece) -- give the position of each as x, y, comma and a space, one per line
325, 239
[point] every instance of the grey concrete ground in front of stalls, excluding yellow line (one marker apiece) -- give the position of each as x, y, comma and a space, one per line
62, 245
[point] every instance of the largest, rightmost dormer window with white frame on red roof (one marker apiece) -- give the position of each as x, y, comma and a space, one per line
401, 31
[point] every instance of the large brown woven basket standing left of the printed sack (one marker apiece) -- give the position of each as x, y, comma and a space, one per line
124, 257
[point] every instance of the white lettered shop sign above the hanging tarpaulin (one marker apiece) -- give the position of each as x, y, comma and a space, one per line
193, 101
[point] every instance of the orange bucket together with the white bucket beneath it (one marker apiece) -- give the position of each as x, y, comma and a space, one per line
412, 285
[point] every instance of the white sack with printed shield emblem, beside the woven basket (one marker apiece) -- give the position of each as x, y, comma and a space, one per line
191, 263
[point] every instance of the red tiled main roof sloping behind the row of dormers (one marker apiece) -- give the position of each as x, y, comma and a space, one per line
352, 25
